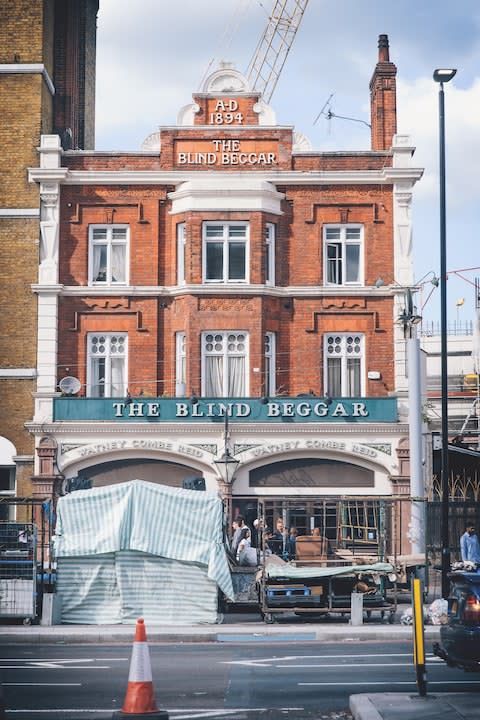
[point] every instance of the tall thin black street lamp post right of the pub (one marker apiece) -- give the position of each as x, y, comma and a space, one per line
442, 76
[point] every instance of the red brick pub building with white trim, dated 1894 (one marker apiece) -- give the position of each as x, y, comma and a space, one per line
217, 292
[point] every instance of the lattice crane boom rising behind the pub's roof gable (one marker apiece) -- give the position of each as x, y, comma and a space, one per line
274, 46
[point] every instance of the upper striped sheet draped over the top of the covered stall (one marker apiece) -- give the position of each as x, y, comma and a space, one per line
170, 523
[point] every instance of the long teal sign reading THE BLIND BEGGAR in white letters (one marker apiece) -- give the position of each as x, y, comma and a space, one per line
245, 410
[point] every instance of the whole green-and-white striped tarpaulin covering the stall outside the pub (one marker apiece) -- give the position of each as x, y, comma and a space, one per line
140, 549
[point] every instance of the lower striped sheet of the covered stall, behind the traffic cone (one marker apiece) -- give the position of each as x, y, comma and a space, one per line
121, 587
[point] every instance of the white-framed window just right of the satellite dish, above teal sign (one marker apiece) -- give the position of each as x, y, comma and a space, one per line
107, 364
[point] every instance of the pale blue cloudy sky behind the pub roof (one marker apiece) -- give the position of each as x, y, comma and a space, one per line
151, 60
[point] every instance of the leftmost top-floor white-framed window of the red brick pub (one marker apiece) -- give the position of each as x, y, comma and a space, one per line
108, 253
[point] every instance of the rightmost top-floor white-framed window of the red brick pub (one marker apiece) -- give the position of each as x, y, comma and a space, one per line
343, 255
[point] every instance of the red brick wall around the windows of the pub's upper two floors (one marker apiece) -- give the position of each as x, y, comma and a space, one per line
300, 322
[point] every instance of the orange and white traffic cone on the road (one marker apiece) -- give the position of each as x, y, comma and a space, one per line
140, 697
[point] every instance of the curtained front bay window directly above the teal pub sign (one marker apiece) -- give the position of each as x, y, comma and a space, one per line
224, 364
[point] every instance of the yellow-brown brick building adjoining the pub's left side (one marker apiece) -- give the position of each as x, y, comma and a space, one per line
47, 84
